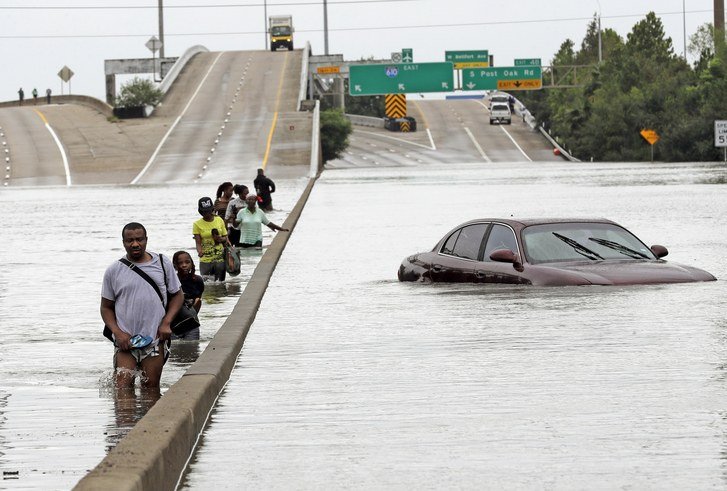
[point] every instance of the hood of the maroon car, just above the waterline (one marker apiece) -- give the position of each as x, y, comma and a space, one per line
630, 272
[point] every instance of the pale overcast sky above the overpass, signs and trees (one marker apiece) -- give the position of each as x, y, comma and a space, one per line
39, 37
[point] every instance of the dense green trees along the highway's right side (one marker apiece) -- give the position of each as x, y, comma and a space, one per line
639, 84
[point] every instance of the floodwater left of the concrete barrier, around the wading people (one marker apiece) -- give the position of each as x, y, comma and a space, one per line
59, 413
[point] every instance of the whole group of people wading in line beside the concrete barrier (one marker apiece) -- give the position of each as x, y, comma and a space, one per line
141, 294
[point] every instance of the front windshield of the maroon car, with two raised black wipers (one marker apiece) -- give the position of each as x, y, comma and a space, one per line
556, 242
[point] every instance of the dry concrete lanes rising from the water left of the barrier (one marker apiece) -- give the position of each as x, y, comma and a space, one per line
225, 115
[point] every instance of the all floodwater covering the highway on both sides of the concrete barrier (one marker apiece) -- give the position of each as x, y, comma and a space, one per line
351, 379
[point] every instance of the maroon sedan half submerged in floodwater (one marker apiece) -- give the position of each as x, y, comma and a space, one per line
548, 252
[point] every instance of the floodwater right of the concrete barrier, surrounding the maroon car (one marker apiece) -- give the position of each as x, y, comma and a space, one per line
350, 379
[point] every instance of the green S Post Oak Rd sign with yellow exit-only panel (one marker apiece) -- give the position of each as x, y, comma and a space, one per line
503, 78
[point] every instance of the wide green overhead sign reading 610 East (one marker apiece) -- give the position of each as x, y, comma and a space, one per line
400, 78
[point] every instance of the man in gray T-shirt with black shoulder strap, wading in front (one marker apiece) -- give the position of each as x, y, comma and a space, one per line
130, 306
